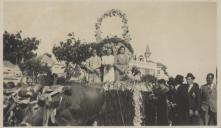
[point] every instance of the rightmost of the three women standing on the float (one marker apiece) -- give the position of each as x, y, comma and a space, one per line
121, 64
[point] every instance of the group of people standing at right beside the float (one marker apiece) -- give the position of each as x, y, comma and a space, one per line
186, 103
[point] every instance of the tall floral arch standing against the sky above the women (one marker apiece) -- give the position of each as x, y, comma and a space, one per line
110, 13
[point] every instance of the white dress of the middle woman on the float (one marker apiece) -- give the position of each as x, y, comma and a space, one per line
108, 72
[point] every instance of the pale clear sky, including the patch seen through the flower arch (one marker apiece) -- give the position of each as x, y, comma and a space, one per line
181, 35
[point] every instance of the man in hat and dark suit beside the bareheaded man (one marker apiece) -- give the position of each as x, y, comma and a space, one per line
190, 105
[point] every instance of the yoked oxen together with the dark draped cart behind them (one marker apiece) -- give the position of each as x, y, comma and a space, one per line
109, 104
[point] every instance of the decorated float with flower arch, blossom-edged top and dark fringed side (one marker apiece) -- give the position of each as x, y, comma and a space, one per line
127, 102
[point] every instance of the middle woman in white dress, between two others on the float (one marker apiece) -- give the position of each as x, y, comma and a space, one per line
107, 63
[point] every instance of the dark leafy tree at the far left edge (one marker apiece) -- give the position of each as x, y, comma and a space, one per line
17, 49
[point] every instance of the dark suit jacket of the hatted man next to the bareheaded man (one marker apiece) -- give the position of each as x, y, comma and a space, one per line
191, 99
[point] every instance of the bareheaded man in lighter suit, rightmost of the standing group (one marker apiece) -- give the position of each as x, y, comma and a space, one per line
209, 100
